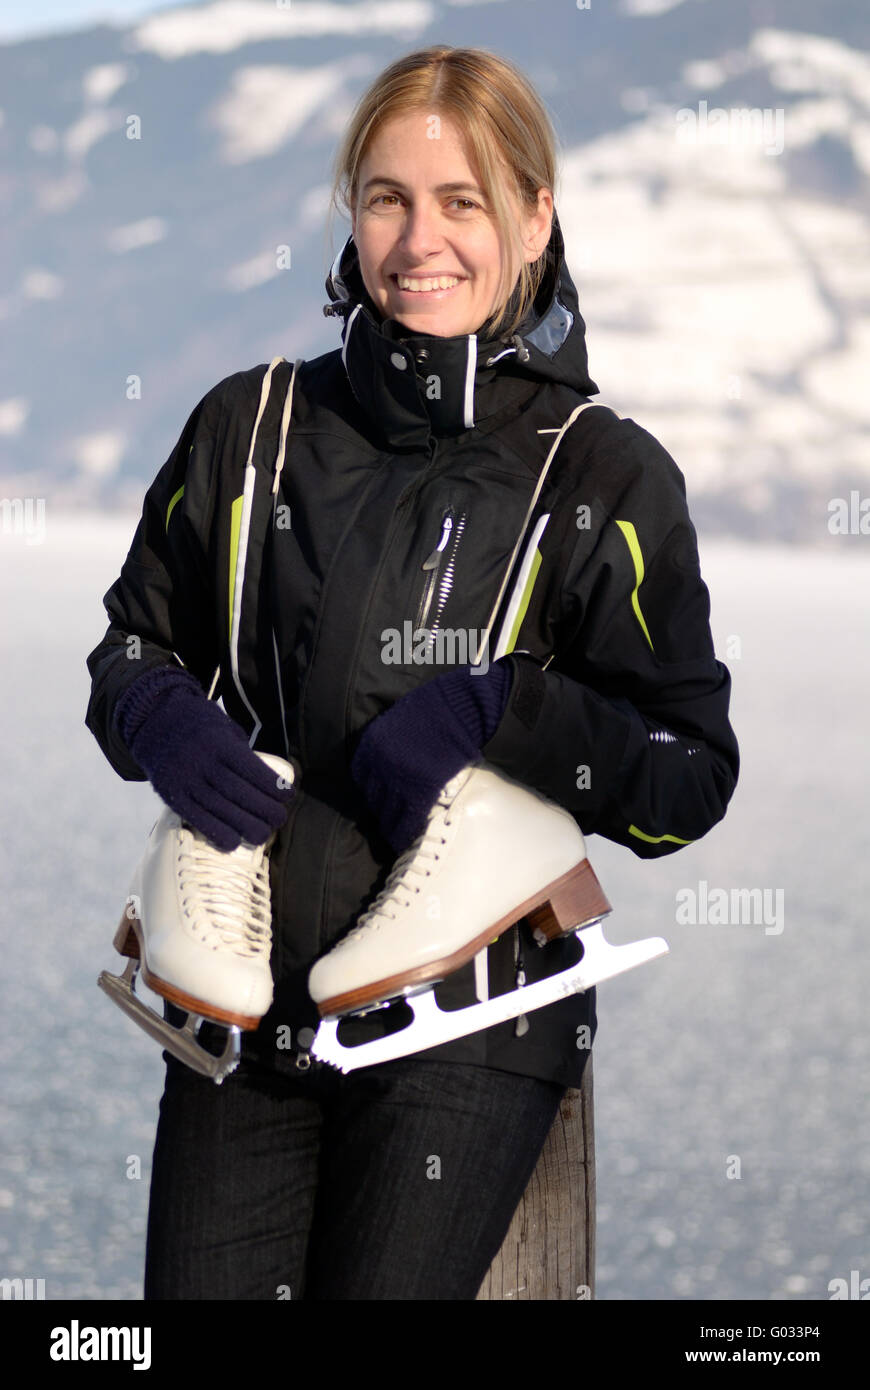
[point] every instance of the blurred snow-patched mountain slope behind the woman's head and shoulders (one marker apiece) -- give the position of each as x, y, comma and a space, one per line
715, 197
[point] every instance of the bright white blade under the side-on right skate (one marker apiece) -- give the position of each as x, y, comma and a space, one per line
433, 1027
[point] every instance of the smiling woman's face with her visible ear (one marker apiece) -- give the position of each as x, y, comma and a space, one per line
420, 215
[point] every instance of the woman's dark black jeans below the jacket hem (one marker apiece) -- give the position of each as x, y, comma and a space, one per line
391, 1182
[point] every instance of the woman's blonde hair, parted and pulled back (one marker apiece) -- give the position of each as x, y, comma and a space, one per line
511, 142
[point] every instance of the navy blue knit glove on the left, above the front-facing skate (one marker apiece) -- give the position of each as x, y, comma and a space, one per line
199, 761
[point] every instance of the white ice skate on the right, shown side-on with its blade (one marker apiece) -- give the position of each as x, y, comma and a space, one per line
494, 851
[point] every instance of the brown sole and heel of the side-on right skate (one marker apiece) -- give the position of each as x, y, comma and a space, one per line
571, 903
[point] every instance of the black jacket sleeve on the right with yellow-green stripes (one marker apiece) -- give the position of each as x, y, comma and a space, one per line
627, 726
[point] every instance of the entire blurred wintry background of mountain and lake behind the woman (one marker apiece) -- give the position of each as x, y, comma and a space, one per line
165, 177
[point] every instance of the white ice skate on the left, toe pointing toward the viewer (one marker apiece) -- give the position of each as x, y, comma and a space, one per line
198, 925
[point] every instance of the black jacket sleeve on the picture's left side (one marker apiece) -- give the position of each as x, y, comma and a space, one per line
161, 610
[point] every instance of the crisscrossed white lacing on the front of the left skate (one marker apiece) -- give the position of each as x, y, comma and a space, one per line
231, 890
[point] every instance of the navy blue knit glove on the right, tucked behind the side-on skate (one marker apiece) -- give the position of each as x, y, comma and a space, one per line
407, 755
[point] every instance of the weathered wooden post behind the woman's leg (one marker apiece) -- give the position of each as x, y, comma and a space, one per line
550, 1249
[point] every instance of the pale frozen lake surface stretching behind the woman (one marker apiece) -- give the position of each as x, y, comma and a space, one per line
746, 1052
